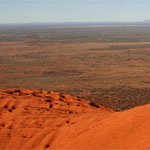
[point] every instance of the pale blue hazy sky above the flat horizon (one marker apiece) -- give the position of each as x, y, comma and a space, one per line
73, 10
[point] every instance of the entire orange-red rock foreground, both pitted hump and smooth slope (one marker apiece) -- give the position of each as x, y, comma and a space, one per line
38, 120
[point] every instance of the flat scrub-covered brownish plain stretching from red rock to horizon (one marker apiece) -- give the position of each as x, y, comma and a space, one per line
105, 63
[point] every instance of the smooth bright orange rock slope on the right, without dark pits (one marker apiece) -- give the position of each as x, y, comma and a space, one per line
124, 130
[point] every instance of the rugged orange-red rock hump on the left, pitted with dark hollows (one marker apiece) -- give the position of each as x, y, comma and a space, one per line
31, 119
